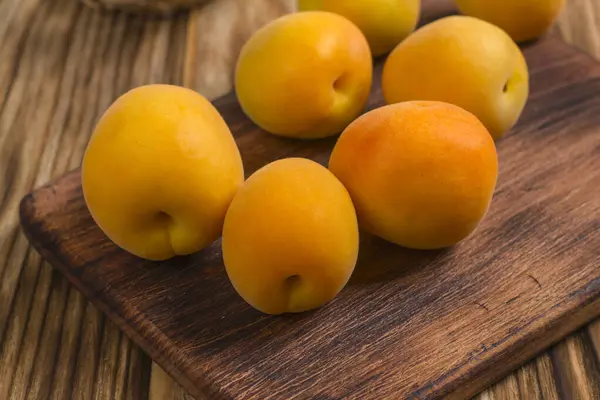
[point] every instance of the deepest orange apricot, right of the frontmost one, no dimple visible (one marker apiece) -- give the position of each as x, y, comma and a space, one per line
421, 174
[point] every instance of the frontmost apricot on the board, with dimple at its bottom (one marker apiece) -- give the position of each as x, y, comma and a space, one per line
290, 240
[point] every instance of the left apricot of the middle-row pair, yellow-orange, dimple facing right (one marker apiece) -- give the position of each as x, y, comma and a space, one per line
305, 75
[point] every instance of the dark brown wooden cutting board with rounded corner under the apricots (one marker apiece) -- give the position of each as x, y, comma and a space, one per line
409, 324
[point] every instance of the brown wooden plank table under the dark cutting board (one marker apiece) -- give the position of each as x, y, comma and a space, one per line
61, 65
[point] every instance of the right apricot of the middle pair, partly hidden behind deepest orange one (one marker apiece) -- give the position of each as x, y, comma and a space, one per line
464, 61
